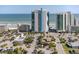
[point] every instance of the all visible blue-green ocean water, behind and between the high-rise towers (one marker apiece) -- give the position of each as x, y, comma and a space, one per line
24, 18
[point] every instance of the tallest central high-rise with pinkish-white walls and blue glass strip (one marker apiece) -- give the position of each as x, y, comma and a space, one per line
40, 21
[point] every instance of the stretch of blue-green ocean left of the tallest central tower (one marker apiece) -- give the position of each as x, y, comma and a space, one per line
15, 18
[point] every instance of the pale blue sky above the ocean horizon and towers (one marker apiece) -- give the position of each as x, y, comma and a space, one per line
23, 9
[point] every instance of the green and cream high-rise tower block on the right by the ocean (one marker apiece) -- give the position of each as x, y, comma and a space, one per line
65, 21
